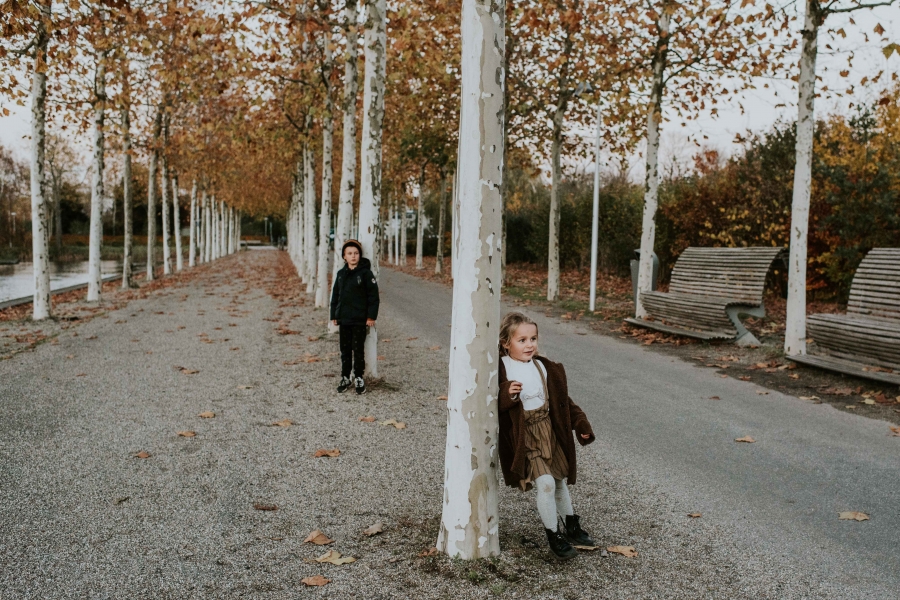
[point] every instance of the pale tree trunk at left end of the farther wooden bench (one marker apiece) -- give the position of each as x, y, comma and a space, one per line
651, 182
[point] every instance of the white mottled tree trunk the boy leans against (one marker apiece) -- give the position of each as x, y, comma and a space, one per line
373, 121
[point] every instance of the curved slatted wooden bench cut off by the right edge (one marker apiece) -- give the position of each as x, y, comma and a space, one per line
866, 340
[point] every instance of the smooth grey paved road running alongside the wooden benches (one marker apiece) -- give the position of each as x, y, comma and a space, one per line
780, 496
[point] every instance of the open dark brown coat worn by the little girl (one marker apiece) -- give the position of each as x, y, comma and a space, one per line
565, 416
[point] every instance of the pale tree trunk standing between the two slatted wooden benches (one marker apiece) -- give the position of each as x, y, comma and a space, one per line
795, 324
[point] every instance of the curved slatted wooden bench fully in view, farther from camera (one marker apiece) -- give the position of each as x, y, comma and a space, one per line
709, 289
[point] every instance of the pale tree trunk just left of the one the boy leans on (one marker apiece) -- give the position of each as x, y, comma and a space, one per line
348, 159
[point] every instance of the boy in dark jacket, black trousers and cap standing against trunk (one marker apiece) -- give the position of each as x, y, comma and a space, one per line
354, 307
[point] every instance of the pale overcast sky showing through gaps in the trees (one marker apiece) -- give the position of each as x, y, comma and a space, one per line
761, 107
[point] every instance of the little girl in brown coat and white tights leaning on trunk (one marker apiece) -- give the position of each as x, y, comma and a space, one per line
536, 420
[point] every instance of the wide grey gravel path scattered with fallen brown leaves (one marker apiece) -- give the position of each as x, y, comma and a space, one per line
81, 516
